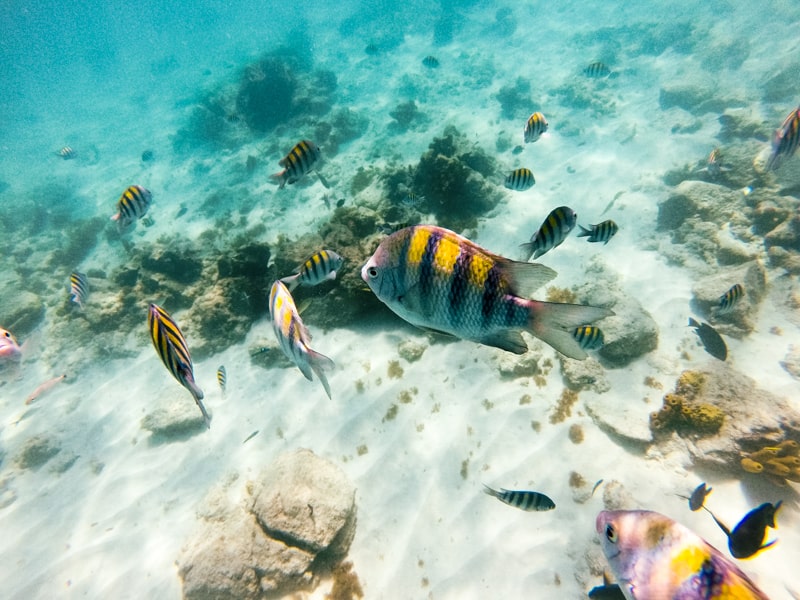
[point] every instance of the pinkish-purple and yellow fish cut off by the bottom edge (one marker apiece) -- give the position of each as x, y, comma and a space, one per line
654, 557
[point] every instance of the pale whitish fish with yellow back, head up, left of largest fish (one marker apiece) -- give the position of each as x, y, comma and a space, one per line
293, 337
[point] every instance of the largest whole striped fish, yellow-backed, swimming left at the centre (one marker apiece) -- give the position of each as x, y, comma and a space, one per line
436, 279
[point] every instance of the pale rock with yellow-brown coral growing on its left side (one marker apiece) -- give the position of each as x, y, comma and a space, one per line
750, 418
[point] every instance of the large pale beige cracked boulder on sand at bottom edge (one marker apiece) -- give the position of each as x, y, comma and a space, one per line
296, 525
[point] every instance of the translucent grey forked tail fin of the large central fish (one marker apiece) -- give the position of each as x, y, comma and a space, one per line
554, 324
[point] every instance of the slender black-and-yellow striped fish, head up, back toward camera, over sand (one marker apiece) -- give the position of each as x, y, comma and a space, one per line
171, 348
